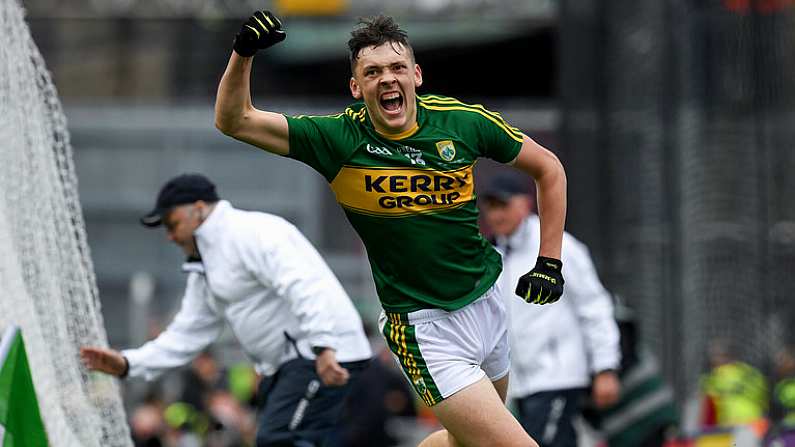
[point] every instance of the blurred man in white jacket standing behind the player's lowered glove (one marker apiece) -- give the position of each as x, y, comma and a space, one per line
557, 350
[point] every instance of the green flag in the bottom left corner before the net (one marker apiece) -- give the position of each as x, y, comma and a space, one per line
20, 421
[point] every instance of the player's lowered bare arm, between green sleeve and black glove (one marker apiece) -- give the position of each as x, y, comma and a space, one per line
546, 169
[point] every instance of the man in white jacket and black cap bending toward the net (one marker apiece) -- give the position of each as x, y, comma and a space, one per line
257, 273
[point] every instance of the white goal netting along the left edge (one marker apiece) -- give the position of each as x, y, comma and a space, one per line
49, 289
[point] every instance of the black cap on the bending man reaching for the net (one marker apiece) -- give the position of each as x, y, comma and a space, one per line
185, 188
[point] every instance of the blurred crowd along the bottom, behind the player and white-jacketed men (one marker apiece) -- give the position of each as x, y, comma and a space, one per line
211, 405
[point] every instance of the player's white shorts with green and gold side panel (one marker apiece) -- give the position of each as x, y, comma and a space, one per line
443, 352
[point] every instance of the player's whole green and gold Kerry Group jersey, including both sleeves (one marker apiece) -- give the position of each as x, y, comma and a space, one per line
411, 197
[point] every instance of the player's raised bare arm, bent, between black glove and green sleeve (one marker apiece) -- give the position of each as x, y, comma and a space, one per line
236, 116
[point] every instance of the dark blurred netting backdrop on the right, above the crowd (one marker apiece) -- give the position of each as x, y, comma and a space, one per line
678, 140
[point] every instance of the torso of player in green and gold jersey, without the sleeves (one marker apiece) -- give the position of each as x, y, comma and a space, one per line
411, 198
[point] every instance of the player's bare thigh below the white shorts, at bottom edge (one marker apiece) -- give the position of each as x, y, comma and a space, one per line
477, 416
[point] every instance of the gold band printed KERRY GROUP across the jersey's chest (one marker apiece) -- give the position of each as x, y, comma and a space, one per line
400, 192
